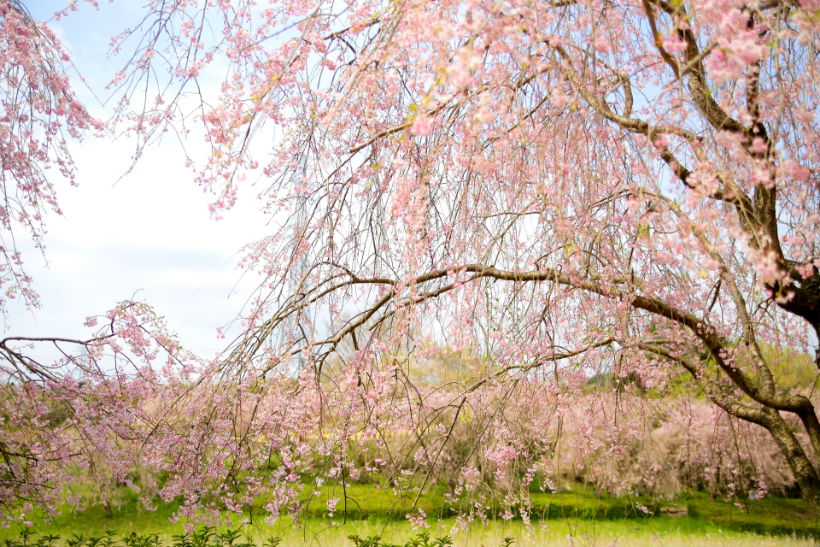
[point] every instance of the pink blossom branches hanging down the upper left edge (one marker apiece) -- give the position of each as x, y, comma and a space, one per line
39, 115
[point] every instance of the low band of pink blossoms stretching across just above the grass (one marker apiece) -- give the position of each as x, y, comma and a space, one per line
185, 431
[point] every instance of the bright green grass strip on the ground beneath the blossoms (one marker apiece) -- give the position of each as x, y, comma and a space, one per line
569, 518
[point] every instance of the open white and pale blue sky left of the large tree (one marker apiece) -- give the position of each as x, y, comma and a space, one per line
148, 236
